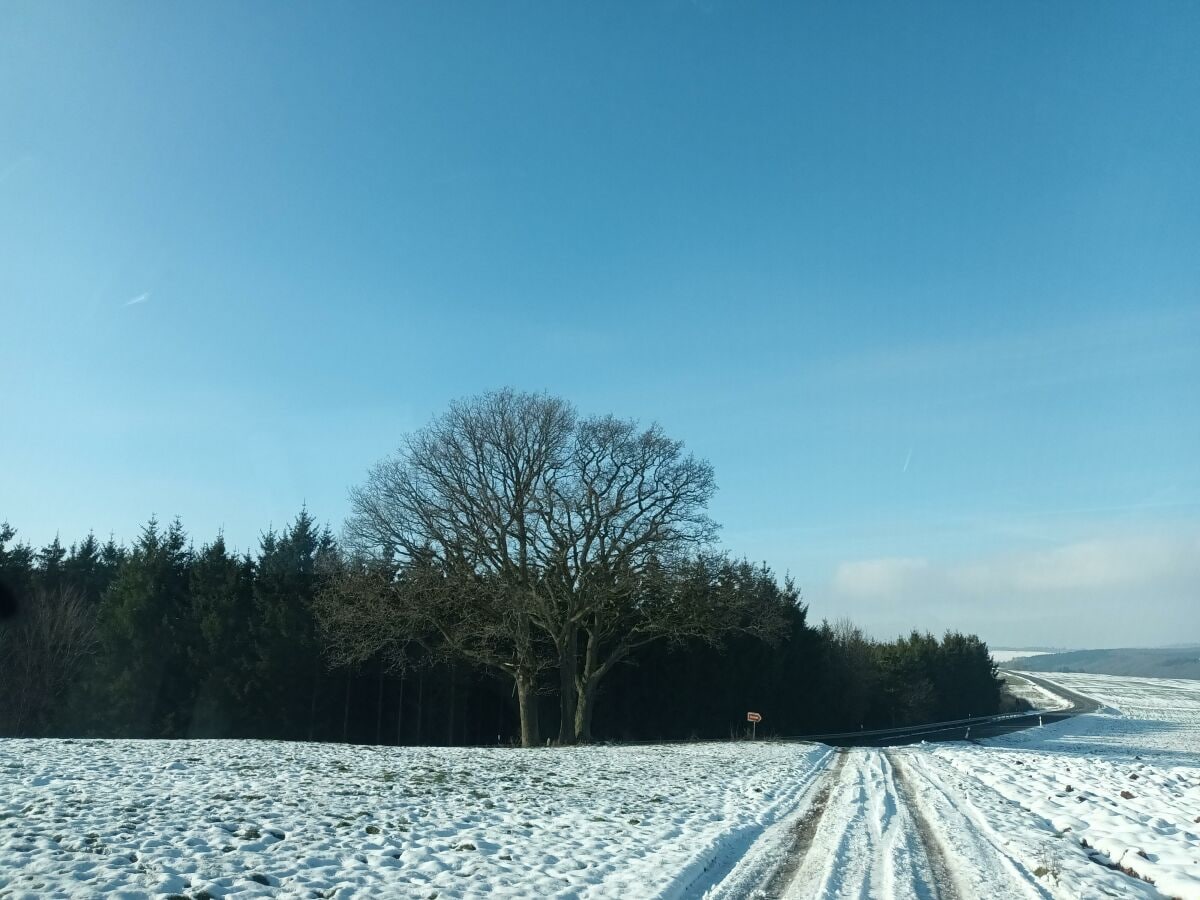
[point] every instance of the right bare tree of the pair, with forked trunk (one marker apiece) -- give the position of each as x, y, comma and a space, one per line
628, 500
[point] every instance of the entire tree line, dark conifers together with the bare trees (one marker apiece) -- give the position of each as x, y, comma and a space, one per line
512, 565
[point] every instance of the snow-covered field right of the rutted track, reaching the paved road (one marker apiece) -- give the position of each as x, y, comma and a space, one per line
1120, 787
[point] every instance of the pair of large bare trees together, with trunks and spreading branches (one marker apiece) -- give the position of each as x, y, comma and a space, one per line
521, 537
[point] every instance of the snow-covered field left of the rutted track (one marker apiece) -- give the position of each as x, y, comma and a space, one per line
129, 819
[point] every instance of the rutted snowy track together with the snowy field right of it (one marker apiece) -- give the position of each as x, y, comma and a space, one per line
1094, 807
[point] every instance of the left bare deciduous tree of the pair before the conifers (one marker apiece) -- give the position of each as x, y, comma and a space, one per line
459, 507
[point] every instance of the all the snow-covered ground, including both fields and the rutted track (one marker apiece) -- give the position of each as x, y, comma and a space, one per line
1103, 805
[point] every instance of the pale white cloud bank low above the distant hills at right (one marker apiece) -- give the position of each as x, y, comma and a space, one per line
1112, 592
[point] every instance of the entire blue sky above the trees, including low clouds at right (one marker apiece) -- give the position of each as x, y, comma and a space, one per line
922, 281
